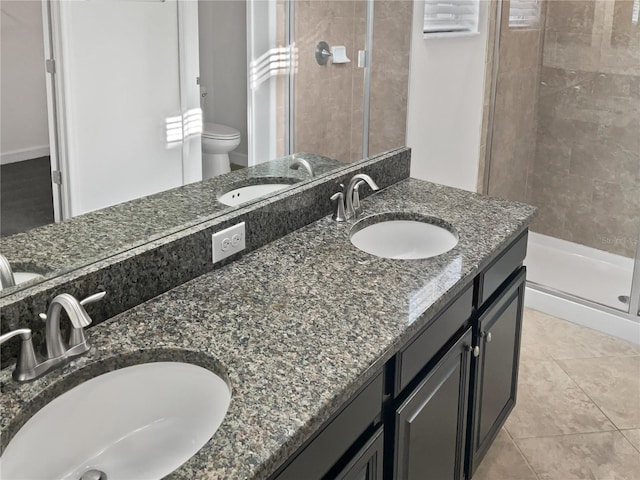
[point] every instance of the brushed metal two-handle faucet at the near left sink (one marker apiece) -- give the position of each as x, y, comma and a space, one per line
29, 367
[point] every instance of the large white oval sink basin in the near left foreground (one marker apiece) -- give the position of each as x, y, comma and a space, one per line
139, 422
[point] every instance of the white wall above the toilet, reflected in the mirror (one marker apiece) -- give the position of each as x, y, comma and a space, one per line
223, 63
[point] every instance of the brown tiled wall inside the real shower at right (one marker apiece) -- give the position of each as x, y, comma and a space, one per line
584, 174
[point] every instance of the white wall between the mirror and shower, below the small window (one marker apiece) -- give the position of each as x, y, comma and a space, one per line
445, 104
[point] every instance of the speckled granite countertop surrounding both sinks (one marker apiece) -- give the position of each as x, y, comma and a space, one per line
295, 327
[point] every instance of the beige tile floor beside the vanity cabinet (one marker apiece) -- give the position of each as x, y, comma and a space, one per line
577, 415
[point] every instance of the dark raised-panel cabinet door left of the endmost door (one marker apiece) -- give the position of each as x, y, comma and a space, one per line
431, 424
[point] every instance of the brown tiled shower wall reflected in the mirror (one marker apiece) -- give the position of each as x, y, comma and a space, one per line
329, 98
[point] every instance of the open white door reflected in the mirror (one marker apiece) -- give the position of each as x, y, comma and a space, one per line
118, 87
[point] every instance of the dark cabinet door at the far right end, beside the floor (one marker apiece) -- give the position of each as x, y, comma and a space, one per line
496, 367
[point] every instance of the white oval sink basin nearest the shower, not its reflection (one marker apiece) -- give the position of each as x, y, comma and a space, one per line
403, 239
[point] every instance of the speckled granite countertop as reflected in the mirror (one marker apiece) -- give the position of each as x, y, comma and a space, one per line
55, 249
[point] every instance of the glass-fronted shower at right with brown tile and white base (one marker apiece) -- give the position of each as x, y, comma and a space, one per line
566, 113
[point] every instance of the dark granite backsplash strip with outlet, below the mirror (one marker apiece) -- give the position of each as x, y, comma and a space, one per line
157, 266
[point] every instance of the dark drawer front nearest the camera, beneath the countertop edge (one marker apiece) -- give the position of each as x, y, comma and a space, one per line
317, 457
